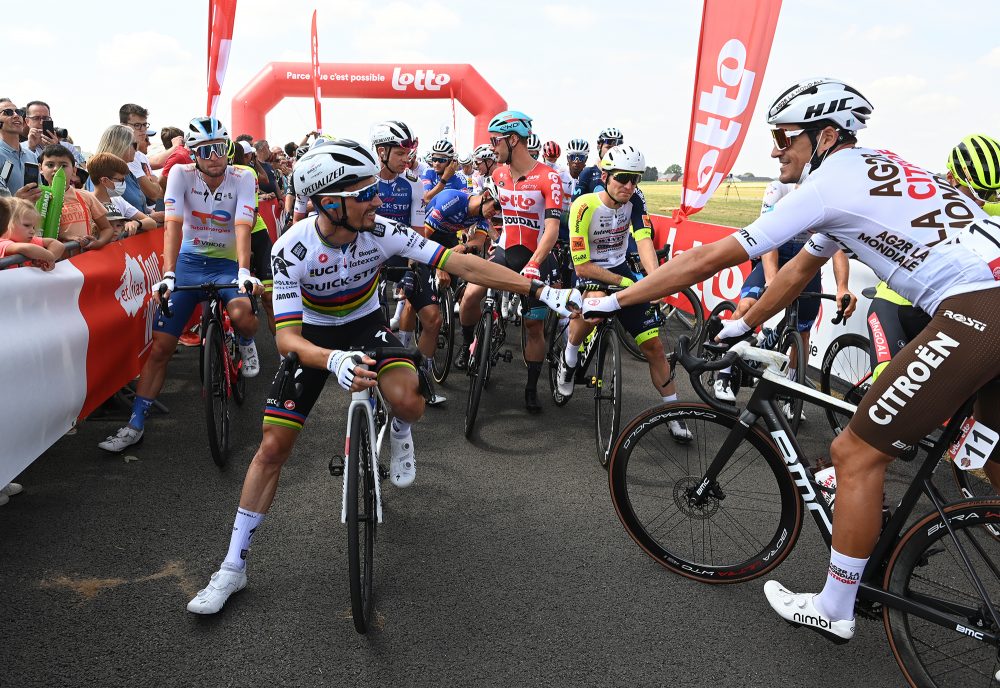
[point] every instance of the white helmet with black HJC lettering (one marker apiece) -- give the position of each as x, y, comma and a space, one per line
815, 100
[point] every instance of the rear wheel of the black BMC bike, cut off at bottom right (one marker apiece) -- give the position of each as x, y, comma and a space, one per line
926, 567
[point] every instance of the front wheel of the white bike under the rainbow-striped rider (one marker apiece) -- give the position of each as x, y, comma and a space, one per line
361, 521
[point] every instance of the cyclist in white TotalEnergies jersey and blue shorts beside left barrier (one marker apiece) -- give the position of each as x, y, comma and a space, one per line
210, 208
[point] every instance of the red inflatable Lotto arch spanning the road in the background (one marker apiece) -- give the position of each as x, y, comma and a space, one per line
294, 79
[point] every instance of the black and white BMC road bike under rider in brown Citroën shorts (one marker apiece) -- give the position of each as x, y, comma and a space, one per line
729, 508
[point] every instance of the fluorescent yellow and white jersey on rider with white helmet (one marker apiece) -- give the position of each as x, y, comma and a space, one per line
599, 233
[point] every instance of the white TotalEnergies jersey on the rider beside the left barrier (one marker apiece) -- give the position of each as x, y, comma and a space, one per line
209, 218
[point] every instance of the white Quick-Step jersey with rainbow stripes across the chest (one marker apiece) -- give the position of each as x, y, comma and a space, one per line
321, 284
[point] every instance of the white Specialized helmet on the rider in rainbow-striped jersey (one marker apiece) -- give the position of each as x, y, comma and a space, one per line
333, 167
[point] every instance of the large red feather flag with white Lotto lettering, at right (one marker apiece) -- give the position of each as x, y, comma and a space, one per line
732, 55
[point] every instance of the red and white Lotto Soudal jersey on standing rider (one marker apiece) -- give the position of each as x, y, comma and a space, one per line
526, 203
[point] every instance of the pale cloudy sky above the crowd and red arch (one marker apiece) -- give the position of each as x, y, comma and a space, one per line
930, 69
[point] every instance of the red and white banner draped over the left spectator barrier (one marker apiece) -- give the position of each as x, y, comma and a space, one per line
74, 336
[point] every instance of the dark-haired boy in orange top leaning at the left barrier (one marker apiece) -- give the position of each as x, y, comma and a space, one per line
81, 209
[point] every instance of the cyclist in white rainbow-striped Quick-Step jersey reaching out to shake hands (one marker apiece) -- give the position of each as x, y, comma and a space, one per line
326, 271
